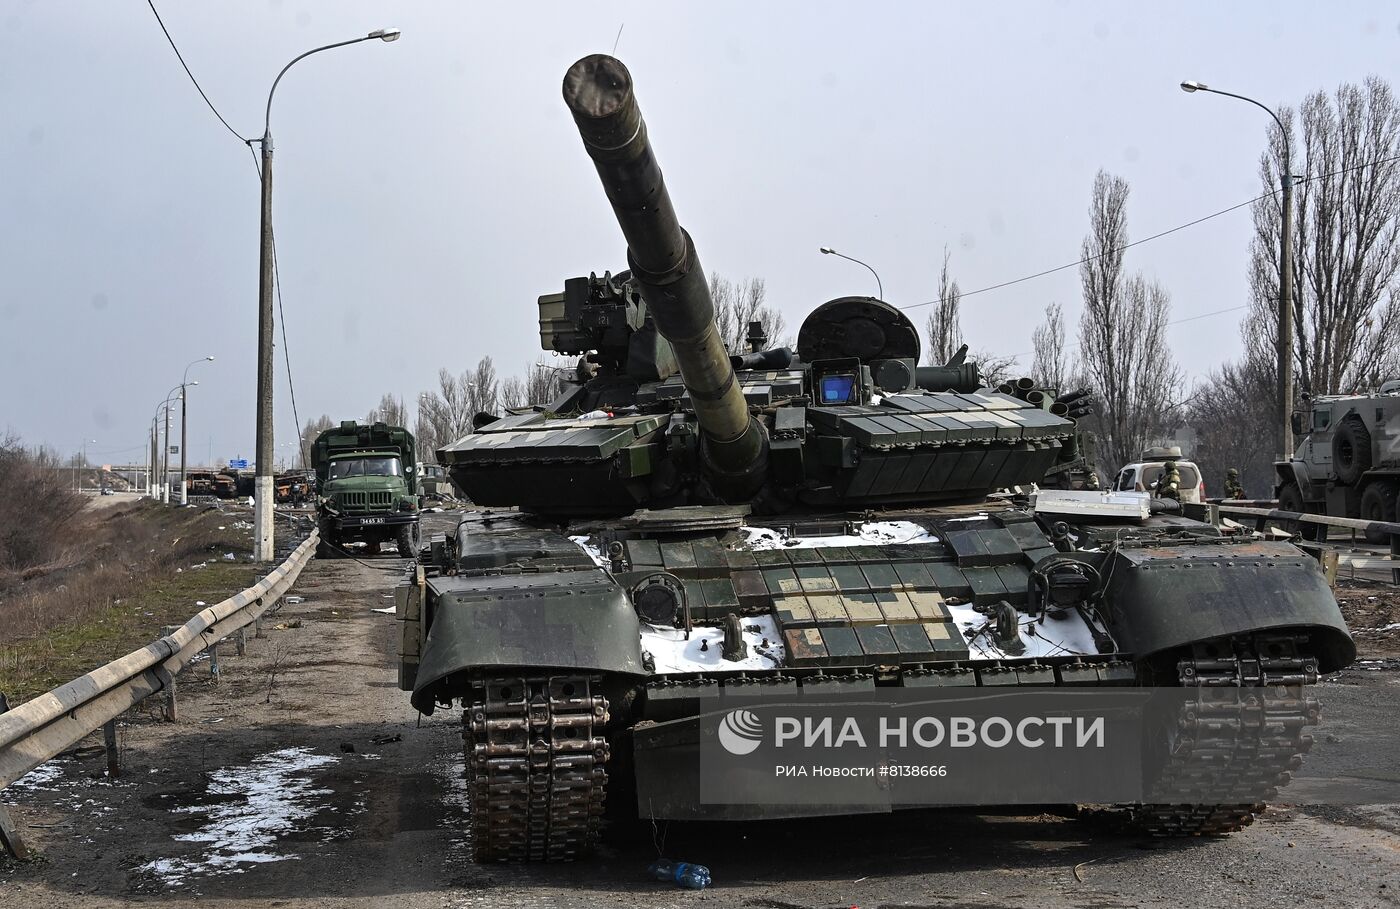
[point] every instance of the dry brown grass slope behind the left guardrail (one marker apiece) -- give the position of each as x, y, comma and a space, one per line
121, 576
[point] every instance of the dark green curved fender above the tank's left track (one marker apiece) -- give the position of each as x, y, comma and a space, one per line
540, 623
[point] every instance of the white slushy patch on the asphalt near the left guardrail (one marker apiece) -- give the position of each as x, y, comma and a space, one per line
250, 812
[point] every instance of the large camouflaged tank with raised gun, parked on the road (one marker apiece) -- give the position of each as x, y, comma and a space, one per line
688, 522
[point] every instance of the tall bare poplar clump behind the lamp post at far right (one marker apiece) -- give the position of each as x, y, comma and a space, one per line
1346, 242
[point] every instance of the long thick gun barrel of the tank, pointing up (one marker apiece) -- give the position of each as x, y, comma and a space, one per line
664, 264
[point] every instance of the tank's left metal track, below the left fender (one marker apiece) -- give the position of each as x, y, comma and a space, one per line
535, 767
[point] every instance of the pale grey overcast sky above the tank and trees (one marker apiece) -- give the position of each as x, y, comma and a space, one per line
429, 191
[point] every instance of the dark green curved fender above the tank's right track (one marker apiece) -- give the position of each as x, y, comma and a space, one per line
1163, 599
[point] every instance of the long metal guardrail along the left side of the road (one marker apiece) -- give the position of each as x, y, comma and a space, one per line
41, 729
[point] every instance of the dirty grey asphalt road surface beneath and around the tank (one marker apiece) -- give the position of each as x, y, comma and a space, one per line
283, 785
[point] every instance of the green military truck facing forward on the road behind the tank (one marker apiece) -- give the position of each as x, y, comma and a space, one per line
366, 488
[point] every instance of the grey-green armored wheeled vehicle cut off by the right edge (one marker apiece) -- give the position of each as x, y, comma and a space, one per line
1347, 463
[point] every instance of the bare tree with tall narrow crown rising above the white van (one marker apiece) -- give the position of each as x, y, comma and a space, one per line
1123, 333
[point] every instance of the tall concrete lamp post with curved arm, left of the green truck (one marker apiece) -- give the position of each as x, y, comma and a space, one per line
264, 492
